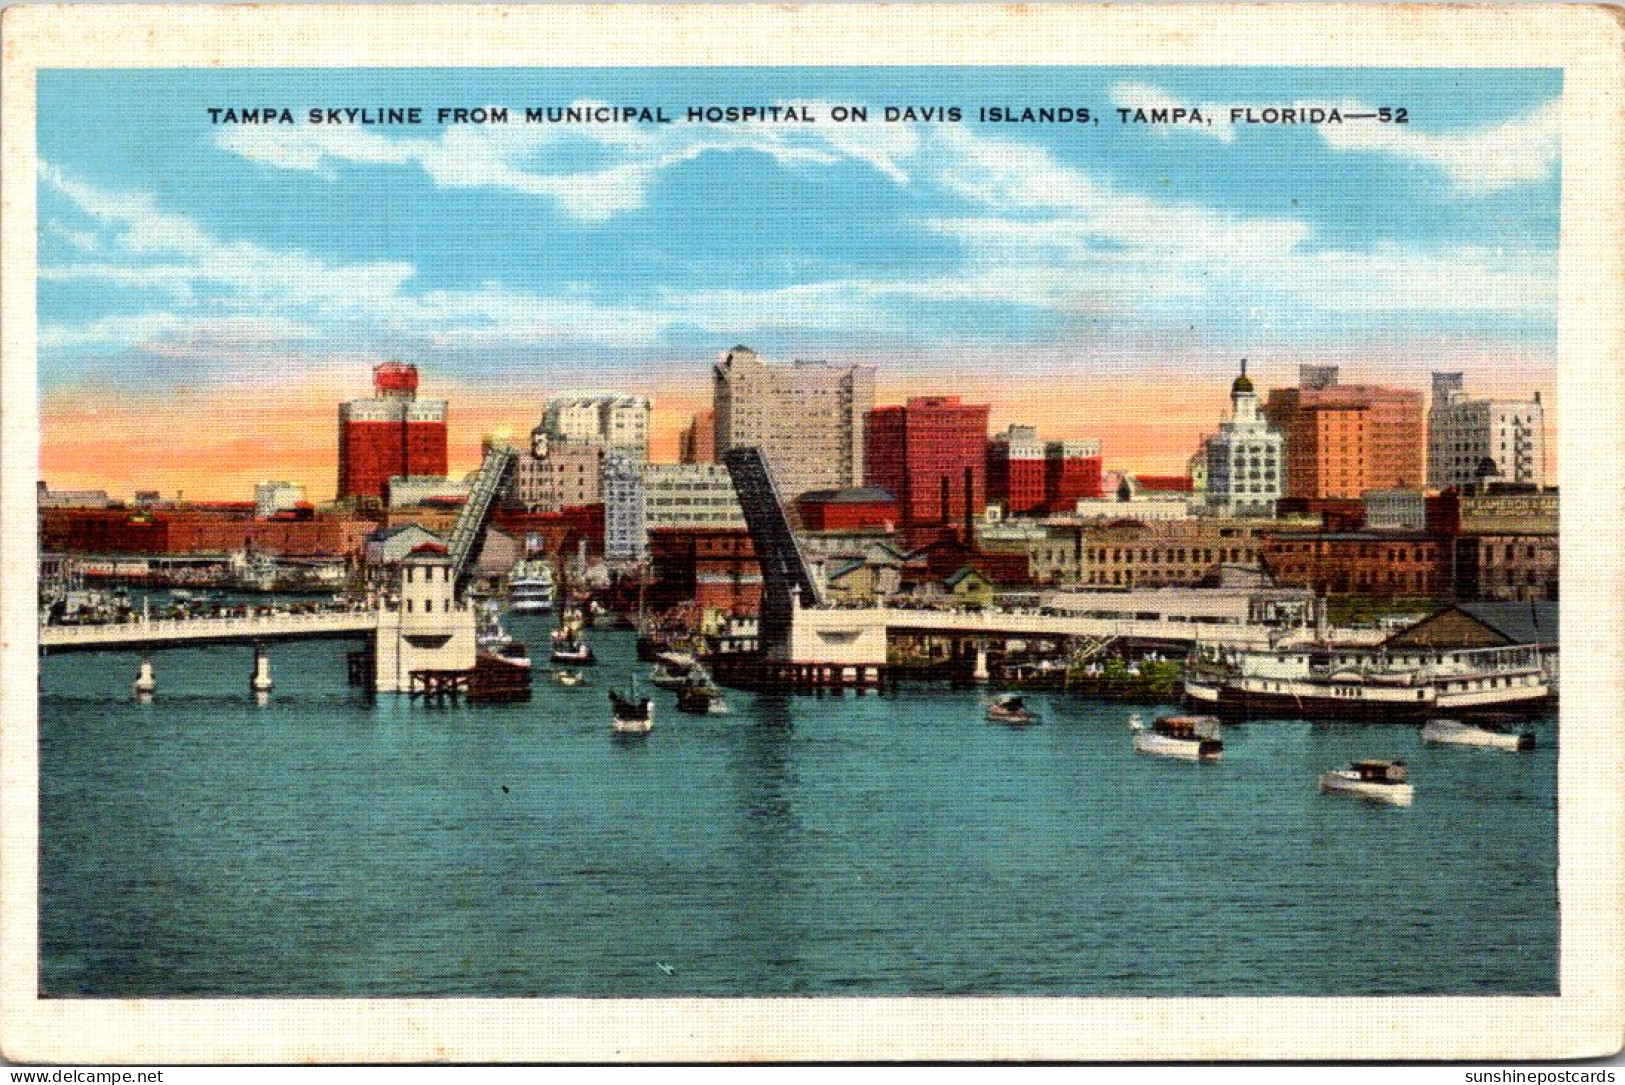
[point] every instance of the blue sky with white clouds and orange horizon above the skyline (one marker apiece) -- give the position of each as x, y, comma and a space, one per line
210, 292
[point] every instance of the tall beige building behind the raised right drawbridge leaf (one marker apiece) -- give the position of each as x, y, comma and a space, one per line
808, 418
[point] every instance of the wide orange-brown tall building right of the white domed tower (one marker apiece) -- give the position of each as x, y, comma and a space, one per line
1346, 439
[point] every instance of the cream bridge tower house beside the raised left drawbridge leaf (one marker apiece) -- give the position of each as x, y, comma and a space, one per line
427, 628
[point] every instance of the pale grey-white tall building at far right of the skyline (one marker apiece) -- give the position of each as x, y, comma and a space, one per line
1462, 434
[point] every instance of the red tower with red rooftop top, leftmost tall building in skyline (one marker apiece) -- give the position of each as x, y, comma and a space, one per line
392, 434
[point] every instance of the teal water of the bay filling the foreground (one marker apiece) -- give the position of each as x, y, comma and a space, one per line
319, 845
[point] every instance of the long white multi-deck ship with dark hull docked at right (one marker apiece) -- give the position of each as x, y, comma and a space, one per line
1366, 683
